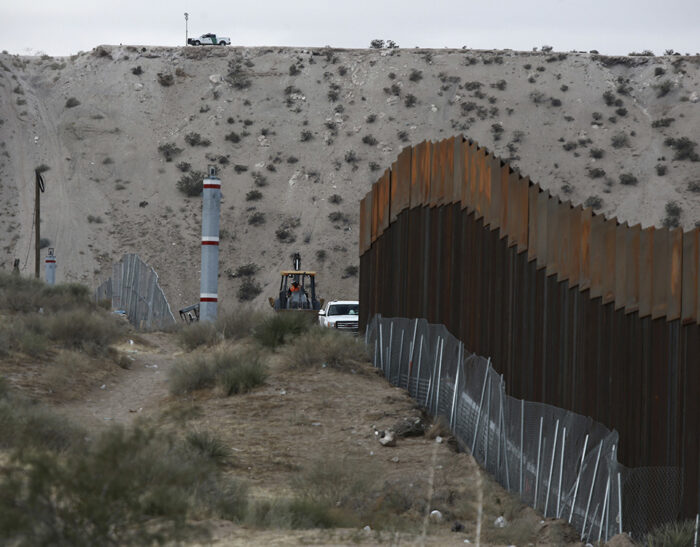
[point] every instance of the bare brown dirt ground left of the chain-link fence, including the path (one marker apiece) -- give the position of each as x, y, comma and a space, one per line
297, 421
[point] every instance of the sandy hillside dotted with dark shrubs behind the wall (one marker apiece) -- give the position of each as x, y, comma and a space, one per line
302, 125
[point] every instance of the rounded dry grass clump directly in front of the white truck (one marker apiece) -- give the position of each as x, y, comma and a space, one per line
325, 347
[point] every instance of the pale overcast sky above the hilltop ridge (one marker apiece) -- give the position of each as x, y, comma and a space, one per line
63, 27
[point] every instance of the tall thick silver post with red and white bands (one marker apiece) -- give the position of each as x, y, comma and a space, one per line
209, 284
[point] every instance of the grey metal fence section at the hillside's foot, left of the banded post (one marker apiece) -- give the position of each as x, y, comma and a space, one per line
134, 288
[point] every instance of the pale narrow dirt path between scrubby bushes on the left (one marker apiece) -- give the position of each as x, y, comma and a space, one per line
137, 392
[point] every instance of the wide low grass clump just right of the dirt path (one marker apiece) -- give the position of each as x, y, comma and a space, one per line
233, 370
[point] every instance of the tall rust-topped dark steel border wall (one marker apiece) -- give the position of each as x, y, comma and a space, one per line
575, 309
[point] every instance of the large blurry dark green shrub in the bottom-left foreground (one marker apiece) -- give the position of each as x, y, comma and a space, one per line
111, 492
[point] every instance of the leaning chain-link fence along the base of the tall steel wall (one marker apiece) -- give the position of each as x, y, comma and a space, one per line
561, 463
